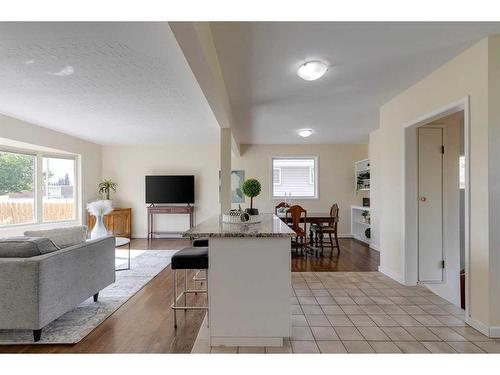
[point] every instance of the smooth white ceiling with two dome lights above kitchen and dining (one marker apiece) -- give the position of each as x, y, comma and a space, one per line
370, 64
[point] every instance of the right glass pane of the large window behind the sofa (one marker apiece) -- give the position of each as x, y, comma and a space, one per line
58, 189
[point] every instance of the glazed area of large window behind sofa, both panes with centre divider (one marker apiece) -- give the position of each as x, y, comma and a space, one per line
36, 188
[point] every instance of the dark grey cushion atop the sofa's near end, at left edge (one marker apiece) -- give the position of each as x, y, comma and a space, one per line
25, 247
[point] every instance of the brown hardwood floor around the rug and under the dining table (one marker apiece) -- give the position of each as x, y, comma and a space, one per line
144, 324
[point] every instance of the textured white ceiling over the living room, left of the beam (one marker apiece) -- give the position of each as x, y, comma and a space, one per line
130, 82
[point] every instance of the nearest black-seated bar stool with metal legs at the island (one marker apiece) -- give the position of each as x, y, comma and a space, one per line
189, 258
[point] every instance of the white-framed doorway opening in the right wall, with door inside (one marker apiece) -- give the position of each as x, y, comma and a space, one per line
435, 181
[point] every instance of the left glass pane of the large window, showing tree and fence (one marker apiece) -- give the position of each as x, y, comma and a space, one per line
17, 188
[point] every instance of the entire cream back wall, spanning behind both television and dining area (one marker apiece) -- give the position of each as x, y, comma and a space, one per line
127, 165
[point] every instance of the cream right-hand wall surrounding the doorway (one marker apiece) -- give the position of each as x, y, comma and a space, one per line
465, 75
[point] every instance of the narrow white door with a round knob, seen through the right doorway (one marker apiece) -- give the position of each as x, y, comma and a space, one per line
430, 204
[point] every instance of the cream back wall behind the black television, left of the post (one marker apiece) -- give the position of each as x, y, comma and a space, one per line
127, 166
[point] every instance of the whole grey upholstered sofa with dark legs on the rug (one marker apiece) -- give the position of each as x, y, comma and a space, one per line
41, 278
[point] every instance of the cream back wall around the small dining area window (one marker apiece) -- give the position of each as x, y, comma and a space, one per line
336, 175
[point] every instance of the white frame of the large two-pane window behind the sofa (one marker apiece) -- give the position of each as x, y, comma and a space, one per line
38, 182
